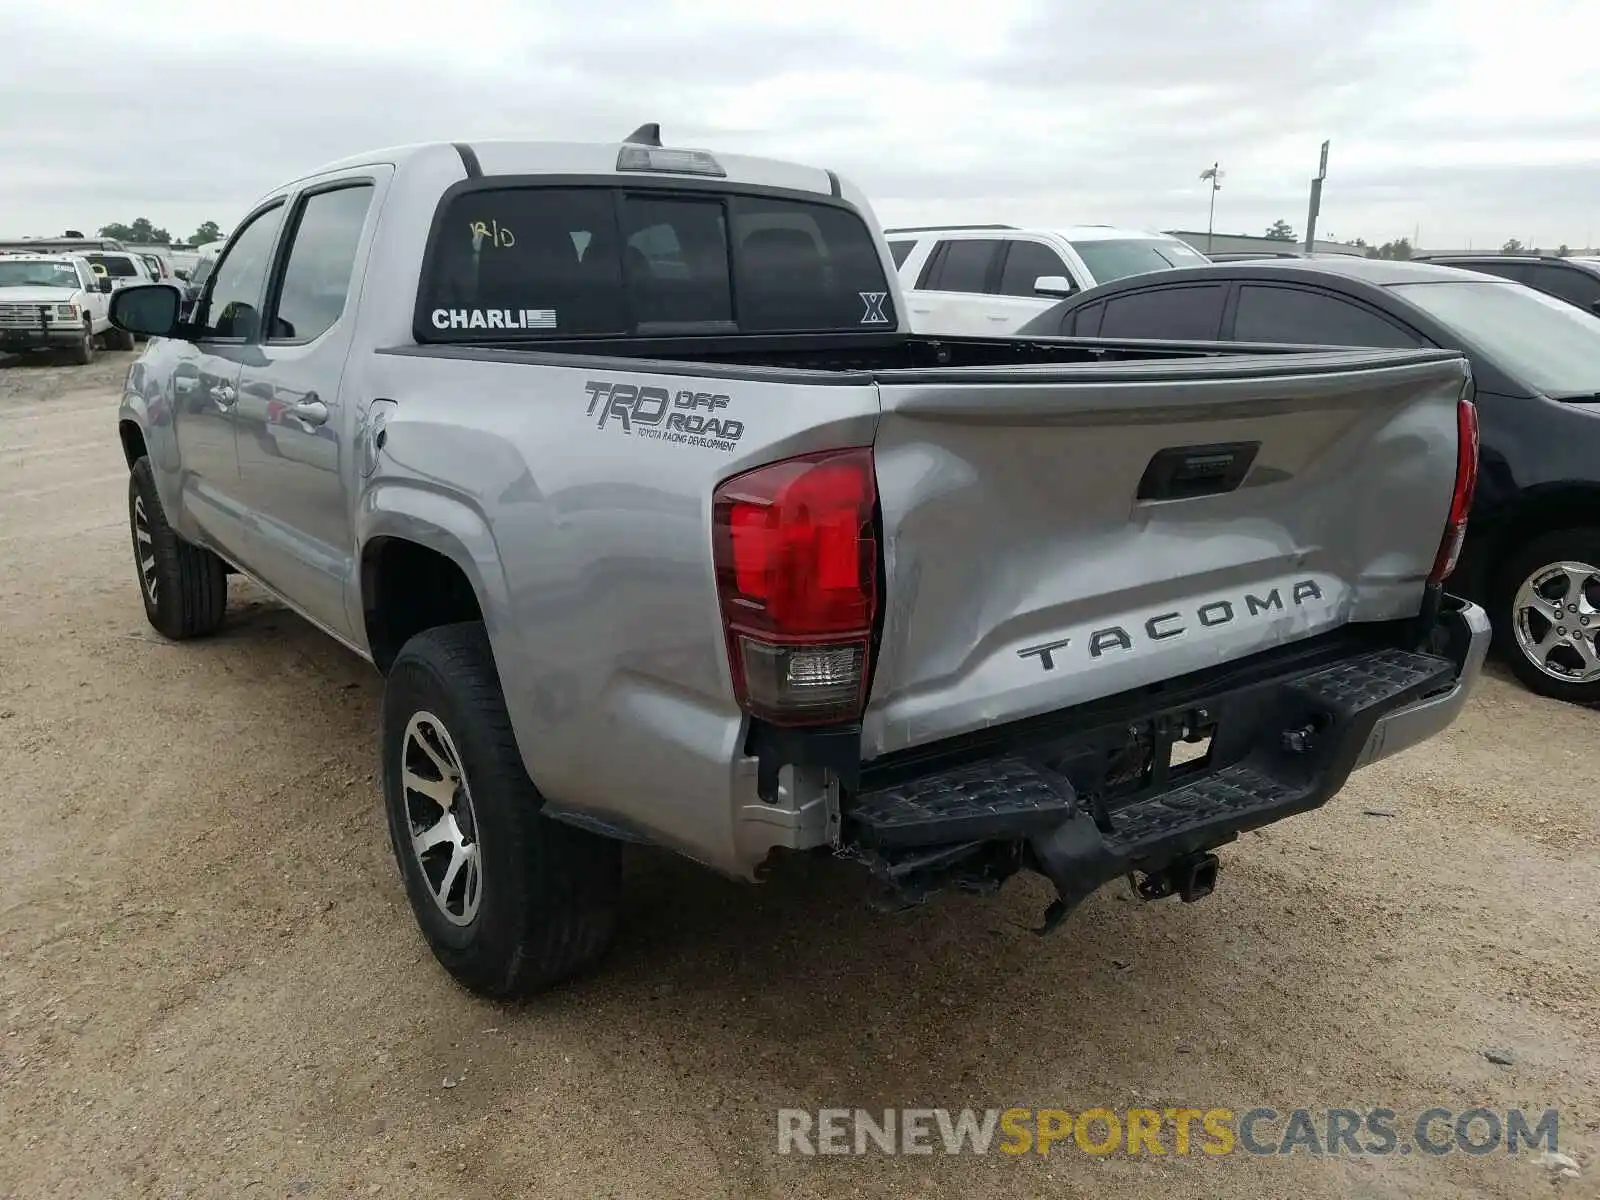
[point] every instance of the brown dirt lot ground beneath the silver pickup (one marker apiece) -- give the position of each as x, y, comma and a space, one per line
212, 986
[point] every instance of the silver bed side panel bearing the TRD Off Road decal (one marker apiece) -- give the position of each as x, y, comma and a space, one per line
598, 508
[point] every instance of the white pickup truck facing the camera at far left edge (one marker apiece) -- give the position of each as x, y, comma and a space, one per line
55, 303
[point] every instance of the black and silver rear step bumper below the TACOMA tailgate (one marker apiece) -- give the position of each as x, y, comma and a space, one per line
1106, 802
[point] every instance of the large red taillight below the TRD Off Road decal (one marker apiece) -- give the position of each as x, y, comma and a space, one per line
798, 575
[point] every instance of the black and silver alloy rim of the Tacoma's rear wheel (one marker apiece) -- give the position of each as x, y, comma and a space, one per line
442, 826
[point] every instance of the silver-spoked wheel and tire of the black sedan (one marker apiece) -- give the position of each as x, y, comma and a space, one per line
1548, 615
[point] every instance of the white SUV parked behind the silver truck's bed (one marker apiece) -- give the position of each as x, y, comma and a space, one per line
980, 281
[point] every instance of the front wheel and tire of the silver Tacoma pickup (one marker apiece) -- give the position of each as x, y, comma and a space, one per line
190, 583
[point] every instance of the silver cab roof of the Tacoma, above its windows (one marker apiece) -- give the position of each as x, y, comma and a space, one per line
500, 158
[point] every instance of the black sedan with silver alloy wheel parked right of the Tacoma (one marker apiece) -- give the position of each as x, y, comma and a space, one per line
1534, 542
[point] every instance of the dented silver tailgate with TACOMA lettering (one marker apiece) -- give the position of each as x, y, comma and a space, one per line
1062, 534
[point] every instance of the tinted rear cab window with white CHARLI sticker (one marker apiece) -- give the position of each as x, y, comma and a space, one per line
561, 262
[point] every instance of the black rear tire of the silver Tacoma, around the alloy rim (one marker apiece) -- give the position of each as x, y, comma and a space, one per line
546, 894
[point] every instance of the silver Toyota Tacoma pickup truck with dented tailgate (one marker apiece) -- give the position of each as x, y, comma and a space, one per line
623, 466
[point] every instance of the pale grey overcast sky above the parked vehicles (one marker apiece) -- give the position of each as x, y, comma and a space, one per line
1466, 121
